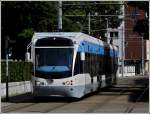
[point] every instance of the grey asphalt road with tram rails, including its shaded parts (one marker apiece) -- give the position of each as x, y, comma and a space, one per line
131, 94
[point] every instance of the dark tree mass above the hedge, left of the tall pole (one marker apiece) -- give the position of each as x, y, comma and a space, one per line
21, 19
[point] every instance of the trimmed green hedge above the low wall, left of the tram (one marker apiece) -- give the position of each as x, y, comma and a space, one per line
18, 71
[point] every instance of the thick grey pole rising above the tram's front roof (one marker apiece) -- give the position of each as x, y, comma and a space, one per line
59, 16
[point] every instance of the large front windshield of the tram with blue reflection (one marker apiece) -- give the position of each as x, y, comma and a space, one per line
54, 61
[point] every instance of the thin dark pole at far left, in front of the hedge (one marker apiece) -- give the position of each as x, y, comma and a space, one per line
6, 52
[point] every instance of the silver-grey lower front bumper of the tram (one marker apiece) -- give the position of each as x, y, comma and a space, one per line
67, 91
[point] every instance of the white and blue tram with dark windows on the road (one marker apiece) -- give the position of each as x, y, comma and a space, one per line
71, 64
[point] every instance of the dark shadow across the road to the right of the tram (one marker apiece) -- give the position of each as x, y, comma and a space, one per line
137, 91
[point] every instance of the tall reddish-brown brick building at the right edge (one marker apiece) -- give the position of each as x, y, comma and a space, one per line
133, 41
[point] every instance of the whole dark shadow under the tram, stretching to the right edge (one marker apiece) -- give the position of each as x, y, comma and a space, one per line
138, 92
